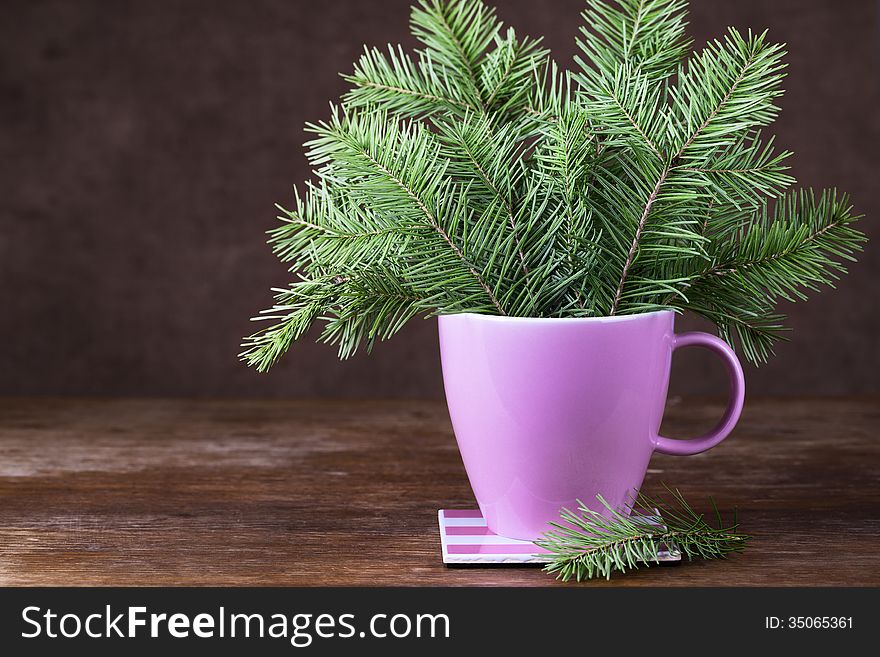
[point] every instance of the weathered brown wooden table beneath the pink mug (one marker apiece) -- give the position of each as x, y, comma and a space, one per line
158, 492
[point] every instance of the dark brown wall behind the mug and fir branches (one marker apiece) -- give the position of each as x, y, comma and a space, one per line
144, 144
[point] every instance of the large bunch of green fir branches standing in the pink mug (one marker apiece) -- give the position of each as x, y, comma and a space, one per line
474, 175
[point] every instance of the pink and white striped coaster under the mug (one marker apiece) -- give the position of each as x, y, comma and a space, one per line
465, 539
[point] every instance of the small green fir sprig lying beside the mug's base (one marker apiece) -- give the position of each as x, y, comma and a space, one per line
596, 543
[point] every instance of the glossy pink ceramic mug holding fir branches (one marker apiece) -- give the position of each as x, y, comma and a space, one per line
549, 411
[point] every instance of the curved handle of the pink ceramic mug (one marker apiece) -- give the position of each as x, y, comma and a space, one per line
735, 400
